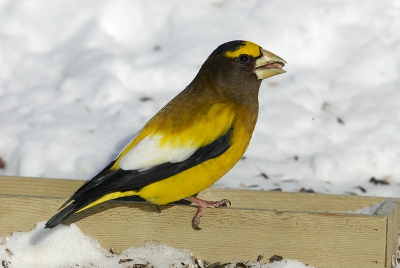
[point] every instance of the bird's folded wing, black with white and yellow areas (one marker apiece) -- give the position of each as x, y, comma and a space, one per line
156, 156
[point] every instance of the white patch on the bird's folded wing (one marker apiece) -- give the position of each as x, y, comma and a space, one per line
148, 153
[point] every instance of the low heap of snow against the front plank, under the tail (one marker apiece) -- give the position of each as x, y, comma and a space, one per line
42, 248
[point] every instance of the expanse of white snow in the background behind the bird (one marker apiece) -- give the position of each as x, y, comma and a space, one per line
79, 78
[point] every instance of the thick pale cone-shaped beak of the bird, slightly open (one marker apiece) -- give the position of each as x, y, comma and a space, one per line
268, 65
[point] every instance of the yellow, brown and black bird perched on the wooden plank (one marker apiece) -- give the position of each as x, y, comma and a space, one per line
193, 141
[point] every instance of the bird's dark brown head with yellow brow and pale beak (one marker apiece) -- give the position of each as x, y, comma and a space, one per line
235, 69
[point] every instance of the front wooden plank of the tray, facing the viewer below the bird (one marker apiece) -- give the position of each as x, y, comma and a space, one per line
320, 239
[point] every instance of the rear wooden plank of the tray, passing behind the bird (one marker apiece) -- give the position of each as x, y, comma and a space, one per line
240, 198
